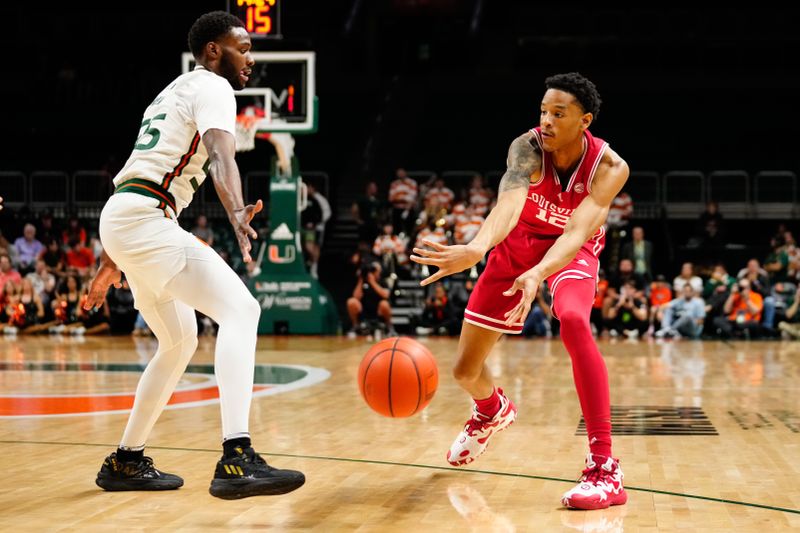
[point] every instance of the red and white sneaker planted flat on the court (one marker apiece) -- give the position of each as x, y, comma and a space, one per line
599, 487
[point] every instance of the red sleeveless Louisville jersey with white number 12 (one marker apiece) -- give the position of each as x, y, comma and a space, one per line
551, 203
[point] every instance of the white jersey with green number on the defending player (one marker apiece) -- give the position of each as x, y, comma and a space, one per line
169, 150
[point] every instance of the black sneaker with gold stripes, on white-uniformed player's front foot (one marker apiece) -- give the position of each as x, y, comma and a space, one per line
247, 474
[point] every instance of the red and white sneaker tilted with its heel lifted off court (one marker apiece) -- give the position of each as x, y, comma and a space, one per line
474, 439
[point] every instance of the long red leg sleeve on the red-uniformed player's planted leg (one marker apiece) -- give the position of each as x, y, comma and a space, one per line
573, 305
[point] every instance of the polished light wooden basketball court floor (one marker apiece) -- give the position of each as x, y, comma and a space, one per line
708, 434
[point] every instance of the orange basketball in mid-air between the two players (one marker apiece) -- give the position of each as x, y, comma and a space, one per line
398, 377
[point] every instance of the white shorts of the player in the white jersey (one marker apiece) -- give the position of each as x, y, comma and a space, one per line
146, 245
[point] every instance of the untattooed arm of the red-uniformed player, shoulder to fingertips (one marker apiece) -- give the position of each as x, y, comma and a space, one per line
611, 175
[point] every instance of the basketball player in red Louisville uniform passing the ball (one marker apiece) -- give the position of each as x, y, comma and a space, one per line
547, 225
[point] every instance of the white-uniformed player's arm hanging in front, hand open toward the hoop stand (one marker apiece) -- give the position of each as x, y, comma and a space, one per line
221, 147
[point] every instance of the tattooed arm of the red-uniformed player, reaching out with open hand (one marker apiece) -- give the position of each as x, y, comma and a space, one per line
524, 162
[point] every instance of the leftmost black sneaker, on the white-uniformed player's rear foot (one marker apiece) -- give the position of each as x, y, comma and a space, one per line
115, 475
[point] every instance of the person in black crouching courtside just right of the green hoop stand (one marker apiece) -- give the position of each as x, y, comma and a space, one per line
370, 300
